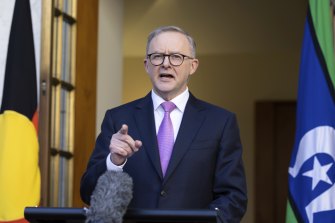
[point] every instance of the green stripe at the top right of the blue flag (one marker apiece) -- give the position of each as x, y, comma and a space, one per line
324, 31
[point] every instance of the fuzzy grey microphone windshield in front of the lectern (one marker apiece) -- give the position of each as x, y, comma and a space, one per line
110, 198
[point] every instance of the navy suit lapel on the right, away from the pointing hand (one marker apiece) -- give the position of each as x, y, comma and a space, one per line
192, 120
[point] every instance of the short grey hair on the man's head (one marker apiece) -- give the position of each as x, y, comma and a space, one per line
163, 29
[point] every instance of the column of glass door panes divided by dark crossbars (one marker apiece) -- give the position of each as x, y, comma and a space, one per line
62, 108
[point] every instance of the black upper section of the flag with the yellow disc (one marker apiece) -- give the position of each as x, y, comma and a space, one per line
20, 87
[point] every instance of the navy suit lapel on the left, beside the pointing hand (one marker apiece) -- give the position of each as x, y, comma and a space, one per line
145, 121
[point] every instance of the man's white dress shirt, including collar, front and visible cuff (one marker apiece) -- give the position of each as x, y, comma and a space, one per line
176, 116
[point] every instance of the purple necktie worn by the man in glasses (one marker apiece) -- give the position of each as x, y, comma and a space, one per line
165, 136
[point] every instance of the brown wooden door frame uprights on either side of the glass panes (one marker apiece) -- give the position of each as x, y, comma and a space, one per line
85, 93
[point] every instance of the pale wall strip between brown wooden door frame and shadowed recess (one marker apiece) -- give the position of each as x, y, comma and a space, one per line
109, 73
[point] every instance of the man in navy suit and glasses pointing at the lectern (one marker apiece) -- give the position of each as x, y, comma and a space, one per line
193, 160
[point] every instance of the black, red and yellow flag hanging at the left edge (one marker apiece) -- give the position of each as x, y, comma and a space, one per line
19, 171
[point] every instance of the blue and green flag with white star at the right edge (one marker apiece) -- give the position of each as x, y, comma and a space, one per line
312, 166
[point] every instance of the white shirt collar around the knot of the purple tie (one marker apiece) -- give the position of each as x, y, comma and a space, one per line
180, 101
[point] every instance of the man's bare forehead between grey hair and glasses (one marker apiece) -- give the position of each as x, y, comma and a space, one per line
167, 42
